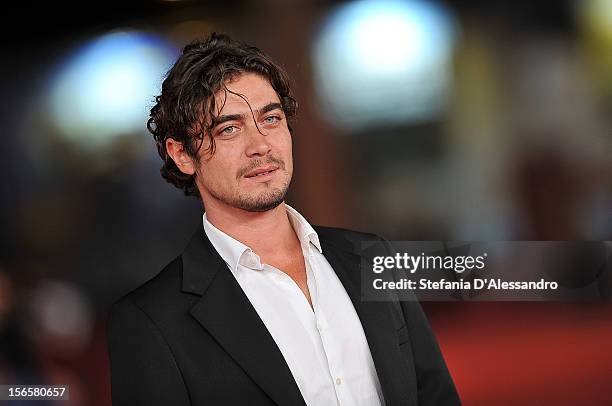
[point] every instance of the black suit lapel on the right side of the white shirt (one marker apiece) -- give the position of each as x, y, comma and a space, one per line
377, 320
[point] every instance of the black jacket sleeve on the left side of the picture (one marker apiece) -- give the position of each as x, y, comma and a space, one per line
143, 368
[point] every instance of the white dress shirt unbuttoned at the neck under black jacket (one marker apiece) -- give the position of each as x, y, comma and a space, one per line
325, 348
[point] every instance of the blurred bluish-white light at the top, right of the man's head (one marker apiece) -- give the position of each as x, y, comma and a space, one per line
384, 62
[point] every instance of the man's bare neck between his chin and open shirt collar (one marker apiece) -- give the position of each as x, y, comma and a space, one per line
267, 233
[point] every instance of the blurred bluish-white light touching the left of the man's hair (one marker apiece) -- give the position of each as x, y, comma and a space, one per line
107, 88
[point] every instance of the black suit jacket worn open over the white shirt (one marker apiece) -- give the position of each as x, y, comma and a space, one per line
190, 336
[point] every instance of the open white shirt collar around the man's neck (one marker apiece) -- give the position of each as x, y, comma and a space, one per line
234, 252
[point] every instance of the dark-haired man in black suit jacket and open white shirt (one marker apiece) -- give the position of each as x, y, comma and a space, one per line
261, 308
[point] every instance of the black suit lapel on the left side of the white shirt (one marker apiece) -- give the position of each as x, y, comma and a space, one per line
227, 314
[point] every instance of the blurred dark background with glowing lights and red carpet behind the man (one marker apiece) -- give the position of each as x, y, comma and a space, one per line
418, 120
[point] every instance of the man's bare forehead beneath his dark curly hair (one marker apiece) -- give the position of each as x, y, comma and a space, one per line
255, 90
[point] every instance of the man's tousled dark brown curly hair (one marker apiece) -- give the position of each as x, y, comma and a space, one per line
185, 110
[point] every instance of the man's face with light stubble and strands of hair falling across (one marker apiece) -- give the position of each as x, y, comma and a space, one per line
252, 164
